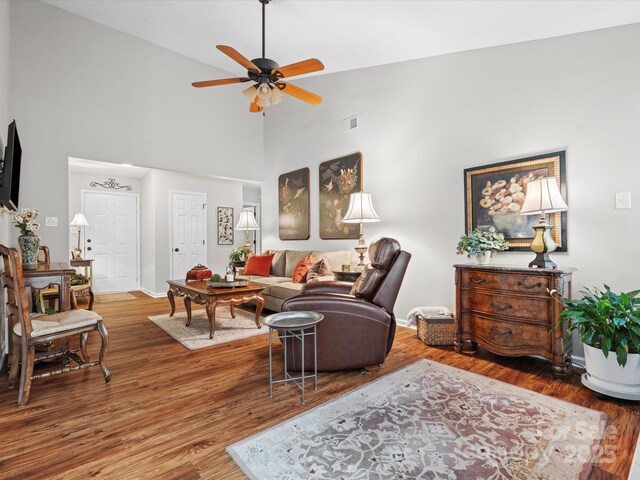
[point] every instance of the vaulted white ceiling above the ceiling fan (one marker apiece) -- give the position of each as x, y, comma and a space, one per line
346, 34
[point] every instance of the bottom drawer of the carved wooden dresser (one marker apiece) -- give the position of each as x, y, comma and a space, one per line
505, 334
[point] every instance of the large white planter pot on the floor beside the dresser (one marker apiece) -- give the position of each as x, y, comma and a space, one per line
605, 376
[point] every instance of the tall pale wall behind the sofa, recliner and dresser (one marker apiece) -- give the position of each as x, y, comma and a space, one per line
422, 122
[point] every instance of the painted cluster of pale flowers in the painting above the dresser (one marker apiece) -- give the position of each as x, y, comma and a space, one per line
504, 197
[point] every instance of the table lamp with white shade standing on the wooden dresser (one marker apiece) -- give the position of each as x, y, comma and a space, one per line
543, 196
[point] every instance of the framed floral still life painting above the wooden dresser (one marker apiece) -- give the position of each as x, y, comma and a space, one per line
494, 195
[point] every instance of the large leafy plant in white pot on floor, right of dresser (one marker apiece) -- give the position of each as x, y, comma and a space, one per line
608, 323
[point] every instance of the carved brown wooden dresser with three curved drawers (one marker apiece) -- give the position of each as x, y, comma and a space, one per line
509, 311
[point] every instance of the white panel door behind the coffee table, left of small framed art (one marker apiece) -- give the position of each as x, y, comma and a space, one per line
188, 247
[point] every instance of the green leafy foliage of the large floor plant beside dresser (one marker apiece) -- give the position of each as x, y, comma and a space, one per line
606, 320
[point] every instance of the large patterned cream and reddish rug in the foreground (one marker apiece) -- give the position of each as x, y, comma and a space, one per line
429, 421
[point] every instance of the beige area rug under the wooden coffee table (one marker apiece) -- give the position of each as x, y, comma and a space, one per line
196, 335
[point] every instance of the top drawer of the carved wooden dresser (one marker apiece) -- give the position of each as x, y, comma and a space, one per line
531, 284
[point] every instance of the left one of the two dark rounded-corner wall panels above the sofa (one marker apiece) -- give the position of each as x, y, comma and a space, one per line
293, 205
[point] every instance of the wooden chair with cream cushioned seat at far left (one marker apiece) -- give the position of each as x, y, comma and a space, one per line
27, 333
